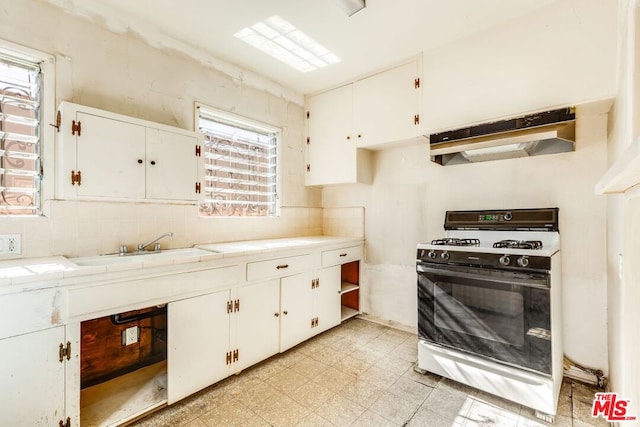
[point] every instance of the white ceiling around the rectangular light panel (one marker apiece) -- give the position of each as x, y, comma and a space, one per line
385, 33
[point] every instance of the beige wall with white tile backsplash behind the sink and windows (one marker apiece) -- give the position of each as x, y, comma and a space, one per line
119, 72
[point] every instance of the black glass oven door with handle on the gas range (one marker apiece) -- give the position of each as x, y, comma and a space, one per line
499, 314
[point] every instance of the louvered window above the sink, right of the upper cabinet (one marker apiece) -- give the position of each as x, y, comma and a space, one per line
240, 165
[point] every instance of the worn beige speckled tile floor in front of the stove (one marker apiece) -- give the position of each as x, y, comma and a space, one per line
358, 374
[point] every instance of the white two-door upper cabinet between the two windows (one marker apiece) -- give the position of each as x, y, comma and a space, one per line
107, 156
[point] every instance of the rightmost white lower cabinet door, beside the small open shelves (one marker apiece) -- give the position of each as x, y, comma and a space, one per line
327, 298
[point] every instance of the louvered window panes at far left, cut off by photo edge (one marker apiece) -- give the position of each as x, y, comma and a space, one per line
20, 172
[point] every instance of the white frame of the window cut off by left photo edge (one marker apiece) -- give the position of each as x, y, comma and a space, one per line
47, 118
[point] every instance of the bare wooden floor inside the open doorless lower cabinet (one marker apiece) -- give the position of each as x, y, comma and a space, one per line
125, 398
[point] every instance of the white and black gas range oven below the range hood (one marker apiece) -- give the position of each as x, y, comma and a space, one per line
489, 304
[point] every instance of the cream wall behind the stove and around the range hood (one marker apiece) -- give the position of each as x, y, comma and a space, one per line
561, 54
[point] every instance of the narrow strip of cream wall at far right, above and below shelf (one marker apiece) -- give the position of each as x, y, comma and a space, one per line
623, 213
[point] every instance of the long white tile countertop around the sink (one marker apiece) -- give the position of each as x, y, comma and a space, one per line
24, 274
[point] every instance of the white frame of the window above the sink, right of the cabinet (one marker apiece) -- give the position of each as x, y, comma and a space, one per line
240, 119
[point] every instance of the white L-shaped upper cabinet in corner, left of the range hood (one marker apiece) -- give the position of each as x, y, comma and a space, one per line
343, 124
